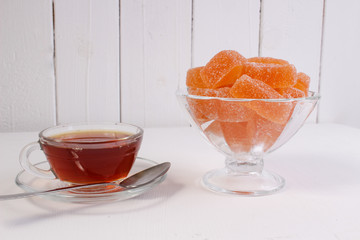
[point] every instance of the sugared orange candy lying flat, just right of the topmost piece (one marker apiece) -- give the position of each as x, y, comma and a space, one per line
277, 73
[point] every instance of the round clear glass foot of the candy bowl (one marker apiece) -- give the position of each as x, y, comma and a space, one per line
243, 184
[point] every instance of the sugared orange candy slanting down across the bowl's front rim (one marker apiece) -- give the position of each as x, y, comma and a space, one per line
246, 87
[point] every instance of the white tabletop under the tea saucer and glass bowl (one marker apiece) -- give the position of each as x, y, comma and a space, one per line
321, 165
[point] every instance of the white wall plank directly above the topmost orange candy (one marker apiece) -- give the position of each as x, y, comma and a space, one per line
220, 25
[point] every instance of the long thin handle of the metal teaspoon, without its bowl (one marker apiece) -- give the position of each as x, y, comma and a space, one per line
31, 194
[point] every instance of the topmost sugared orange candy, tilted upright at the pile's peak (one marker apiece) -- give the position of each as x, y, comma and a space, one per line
223, 69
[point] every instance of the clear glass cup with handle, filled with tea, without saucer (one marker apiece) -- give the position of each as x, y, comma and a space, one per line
84, 153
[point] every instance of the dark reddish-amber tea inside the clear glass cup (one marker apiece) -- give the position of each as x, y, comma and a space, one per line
90, 156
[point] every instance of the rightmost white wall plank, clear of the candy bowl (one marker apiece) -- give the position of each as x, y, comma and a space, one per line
340, 80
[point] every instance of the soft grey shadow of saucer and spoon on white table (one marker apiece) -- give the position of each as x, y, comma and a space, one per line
150, 199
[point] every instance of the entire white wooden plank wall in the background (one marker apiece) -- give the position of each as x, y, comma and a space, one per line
122, 60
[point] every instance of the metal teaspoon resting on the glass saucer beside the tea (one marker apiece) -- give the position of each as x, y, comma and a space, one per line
137, 180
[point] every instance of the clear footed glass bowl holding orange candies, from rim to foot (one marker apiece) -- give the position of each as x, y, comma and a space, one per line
244, 131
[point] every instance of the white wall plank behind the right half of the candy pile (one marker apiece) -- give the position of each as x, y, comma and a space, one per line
292, 30
